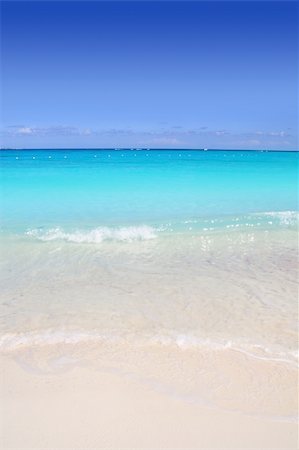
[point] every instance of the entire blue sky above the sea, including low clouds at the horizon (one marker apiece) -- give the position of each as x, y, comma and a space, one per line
149, 74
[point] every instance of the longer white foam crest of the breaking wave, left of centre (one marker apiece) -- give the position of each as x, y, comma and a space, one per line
97, 235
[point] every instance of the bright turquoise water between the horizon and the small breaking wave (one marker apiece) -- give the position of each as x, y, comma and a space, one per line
77, 189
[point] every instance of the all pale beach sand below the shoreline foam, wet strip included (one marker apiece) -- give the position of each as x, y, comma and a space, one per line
65, 404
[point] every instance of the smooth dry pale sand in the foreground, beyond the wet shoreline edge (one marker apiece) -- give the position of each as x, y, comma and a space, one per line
82, 408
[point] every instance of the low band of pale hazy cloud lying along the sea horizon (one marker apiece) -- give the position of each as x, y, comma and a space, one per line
27, 135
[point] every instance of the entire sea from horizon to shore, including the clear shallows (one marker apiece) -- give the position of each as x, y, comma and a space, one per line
193, 249
